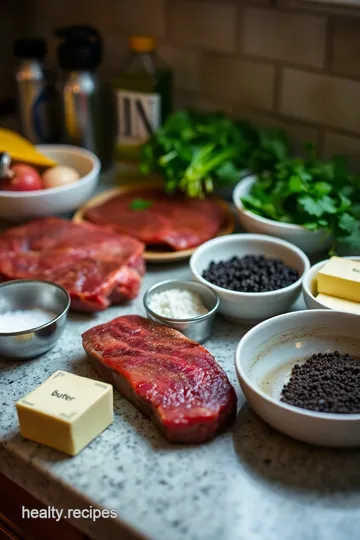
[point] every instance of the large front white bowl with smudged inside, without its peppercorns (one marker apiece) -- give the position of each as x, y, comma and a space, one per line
264, 359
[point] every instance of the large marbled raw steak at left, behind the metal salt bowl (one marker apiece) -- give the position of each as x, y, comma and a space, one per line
94, 264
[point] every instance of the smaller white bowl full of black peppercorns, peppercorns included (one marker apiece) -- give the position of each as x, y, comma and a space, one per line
245, 306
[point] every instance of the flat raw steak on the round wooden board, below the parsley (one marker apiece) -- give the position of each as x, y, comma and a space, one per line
173, 221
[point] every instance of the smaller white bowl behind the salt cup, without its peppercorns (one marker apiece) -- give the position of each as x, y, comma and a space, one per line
244, 307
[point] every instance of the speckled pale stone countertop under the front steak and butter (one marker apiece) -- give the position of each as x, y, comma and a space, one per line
250, 483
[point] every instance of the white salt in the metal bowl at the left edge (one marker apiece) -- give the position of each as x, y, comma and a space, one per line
24, 319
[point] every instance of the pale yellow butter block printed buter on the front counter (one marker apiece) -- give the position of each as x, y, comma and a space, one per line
66, 412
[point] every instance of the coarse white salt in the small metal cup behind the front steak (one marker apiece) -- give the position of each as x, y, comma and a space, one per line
177, 304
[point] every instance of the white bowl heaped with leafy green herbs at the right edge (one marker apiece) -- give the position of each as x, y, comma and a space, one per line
317, 195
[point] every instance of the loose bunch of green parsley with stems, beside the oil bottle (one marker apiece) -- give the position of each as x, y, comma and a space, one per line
198, 152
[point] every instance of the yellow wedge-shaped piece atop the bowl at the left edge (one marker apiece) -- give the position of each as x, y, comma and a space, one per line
21, 149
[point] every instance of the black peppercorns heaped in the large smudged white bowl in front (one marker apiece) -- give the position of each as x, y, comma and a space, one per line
328, 382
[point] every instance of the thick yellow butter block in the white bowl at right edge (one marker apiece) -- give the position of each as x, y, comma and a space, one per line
340, 278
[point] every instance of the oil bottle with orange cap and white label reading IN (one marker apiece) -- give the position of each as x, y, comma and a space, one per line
143, 98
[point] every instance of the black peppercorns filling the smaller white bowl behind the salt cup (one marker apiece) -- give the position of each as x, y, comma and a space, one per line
252, 273
